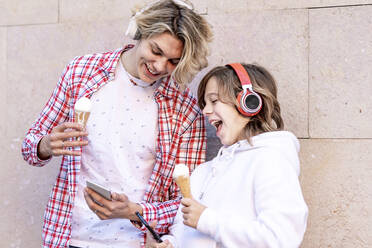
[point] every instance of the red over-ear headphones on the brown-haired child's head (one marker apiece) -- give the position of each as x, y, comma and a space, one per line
250, 103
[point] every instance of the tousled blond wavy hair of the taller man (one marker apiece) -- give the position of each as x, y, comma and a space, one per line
181, 21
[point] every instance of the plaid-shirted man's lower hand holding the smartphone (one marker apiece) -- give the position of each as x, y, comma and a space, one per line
119, 207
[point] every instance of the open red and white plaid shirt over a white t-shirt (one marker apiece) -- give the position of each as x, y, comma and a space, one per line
181, 140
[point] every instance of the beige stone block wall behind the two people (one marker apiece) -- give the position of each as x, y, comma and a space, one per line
320, 52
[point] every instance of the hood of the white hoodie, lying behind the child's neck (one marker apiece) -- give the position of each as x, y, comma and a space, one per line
284, 142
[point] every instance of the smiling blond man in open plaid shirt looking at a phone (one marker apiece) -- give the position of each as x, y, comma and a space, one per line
143, 122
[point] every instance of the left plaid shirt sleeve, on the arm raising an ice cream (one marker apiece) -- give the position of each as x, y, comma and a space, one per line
55, 111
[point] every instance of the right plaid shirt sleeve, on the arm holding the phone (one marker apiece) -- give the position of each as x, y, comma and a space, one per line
191, 152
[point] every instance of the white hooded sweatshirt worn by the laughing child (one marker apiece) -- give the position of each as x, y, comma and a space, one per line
252, 194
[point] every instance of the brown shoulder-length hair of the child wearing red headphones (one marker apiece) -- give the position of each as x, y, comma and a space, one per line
229, 86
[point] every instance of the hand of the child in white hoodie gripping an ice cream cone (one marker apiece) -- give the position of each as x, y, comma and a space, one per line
191, 211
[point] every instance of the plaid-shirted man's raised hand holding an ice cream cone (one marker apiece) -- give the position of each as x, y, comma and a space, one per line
55, 143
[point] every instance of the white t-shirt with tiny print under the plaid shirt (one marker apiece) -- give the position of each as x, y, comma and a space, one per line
120, 156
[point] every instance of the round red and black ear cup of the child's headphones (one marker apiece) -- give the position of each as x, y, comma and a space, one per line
250, 103
